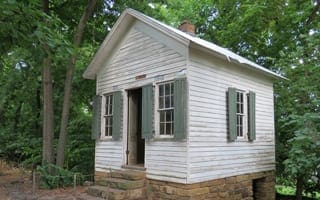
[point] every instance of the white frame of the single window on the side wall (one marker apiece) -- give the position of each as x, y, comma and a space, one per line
244, 114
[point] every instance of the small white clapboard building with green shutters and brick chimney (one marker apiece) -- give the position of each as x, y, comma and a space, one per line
182, 109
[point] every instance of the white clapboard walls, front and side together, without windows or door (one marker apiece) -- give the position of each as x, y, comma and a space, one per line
206, 154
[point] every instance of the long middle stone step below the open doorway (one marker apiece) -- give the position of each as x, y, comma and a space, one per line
122, 184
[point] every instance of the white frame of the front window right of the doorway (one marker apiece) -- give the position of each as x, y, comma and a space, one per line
157, 110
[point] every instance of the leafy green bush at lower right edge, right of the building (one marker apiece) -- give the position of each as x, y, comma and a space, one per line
304, 155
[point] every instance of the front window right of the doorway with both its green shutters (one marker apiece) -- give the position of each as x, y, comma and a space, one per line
170, 113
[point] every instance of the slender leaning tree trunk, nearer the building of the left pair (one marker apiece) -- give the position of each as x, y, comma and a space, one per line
68, 82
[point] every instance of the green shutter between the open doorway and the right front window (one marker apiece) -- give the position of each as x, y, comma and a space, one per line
147, 111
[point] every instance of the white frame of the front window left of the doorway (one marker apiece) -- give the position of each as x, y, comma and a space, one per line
104, 116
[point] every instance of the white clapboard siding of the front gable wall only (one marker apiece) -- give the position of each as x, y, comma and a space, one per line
137, 54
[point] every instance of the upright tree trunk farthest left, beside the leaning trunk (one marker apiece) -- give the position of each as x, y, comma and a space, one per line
48, 120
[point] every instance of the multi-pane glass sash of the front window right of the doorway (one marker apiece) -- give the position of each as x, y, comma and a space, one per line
166, 108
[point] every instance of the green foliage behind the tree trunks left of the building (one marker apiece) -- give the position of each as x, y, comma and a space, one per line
24, 30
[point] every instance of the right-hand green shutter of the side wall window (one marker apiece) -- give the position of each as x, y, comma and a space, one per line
252, 116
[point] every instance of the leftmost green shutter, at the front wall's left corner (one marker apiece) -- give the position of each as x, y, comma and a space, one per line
96, 118
